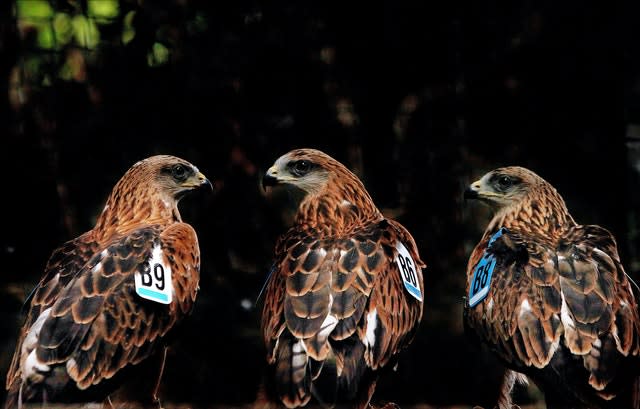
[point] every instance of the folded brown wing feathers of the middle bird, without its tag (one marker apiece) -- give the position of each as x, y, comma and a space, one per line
342, 298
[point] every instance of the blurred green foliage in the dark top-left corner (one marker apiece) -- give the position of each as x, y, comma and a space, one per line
80, 25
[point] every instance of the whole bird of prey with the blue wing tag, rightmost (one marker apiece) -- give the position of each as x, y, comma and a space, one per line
551, 297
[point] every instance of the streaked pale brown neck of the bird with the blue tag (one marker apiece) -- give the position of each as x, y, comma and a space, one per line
547, 218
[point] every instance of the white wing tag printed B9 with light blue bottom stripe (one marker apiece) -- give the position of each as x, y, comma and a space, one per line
154, 283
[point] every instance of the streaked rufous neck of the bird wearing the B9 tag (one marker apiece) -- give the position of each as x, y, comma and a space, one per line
126, 210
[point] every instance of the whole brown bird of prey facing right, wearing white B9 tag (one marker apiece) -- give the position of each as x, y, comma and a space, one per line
109, 298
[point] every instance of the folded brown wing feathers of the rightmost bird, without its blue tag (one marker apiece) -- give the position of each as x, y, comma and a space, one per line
572, 294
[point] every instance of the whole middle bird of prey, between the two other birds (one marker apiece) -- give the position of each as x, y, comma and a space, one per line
345, 293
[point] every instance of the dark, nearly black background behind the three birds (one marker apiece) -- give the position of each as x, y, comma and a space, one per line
418, 98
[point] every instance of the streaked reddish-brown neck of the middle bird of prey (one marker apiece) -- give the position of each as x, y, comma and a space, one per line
336, 212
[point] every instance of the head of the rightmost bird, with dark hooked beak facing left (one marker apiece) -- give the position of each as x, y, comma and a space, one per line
503, 187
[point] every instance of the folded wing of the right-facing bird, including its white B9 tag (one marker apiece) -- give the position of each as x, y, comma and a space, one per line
122, 296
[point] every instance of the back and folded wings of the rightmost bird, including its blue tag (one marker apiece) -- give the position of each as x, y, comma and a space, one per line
561, 311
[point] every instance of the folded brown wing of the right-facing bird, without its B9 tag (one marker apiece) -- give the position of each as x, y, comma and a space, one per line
99, 324
